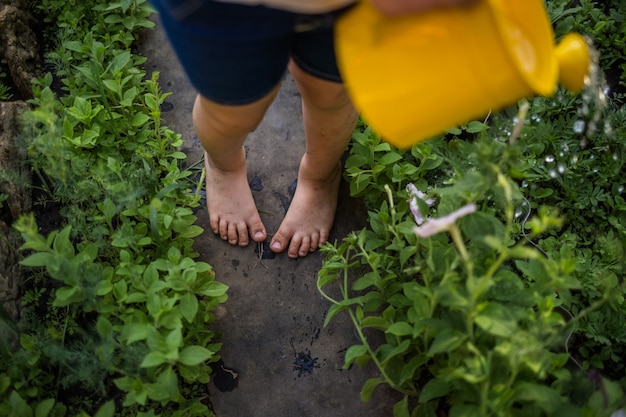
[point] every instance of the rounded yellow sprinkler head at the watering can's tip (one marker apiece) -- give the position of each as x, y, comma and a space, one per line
572, 55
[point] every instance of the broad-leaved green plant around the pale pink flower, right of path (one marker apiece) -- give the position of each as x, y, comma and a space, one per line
475, 320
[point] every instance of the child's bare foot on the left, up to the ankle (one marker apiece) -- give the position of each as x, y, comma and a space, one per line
232, 212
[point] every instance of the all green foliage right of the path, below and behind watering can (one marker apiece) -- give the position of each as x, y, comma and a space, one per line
518, 308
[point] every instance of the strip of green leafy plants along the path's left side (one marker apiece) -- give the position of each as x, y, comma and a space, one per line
118, 311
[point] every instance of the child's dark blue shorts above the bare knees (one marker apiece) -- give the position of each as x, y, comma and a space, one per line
236, 54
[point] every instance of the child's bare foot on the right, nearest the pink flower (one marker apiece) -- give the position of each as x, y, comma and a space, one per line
310, 216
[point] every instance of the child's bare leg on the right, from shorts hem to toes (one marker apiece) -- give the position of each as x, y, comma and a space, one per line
329, 119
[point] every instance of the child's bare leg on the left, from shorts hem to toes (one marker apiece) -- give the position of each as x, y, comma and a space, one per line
222, 131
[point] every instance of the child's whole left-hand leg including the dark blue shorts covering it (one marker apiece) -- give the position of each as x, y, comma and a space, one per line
235, 56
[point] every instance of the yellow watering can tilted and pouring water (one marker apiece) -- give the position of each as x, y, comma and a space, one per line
413, 77
